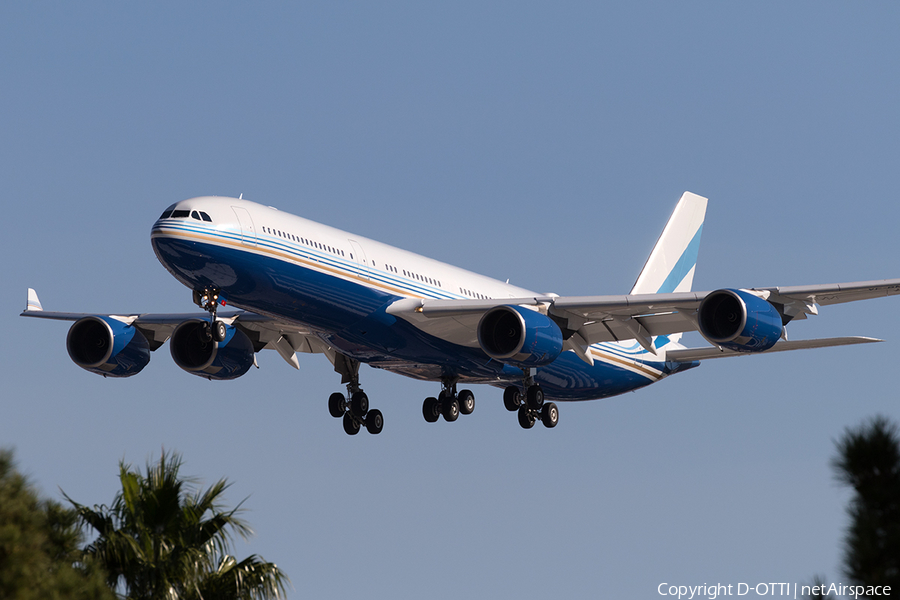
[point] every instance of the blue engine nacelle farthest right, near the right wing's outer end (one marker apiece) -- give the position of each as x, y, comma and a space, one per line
739, 321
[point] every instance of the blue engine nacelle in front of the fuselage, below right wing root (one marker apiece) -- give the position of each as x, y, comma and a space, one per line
519, 336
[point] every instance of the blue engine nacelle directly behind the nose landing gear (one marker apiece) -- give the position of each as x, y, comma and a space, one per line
194, 352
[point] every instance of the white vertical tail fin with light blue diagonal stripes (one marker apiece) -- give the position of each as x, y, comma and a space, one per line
671, 265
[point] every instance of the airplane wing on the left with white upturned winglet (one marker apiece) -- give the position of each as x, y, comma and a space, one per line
285, 337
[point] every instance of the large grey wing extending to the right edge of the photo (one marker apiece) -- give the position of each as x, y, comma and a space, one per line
594, 319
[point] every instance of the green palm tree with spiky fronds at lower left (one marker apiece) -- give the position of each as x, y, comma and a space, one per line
162, 539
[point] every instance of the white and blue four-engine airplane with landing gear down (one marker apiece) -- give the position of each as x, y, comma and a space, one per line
302, 286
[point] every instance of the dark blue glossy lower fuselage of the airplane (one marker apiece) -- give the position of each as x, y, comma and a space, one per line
351, 317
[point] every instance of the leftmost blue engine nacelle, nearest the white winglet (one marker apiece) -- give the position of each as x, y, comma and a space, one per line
108, 347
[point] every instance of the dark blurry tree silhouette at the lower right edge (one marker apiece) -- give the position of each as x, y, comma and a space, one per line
868, 460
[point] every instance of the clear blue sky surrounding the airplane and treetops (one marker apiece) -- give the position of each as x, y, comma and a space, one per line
542, 144
